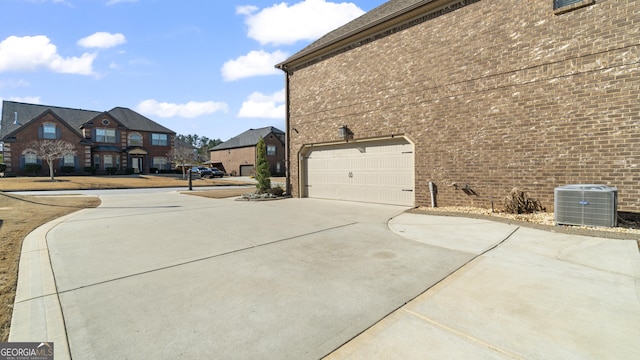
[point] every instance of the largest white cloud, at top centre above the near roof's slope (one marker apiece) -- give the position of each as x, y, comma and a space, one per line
282, 24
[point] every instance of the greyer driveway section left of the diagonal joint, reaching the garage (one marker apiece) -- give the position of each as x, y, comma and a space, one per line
167, 275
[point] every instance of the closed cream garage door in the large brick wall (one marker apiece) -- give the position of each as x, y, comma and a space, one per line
377, 172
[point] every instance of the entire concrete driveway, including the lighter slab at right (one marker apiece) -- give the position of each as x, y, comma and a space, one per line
165, 275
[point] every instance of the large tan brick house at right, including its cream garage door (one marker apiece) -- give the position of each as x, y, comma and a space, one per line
475, 97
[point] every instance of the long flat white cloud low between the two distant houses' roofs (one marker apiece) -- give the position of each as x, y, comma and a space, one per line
189, 110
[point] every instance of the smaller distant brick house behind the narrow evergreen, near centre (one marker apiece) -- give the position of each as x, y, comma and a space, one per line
237, 156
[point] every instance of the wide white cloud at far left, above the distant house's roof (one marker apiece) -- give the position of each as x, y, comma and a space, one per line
31, 53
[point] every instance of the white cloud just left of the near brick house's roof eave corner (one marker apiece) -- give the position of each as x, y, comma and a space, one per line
253, 64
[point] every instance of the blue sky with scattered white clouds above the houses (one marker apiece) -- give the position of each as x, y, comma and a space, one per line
203, 67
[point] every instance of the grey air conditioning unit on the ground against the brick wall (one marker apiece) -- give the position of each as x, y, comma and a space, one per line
588, 205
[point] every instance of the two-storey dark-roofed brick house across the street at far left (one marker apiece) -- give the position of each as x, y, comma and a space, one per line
119, 140
